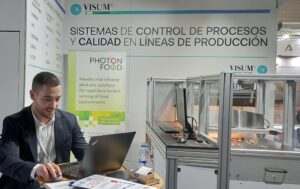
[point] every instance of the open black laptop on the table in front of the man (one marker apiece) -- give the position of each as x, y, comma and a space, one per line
104, 153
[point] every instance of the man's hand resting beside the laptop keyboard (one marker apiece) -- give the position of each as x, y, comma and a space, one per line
48, 172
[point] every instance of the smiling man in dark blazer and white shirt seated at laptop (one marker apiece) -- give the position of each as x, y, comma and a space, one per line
38, 137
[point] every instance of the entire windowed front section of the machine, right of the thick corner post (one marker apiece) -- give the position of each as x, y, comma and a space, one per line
264, 113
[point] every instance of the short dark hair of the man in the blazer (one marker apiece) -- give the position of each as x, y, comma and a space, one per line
44, 78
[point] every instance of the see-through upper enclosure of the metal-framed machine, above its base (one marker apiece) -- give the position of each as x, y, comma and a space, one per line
265, 109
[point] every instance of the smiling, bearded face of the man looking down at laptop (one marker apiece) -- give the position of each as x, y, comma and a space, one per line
45, 101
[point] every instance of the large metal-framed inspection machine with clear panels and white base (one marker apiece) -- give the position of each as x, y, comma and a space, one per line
249, 118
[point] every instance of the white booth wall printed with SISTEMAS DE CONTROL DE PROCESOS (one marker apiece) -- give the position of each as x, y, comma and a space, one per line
179, 60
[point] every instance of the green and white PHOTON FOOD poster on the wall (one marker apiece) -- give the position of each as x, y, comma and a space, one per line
96, 87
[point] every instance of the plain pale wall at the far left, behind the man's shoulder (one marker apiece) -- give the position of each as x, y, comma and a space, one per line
12, 51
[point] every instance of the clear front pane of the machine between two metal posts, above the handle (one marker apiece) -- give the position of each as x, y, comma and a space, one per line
257, 115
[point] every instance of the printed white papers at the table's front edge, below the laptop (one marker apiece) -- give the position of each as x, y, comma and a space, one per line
103, 182
